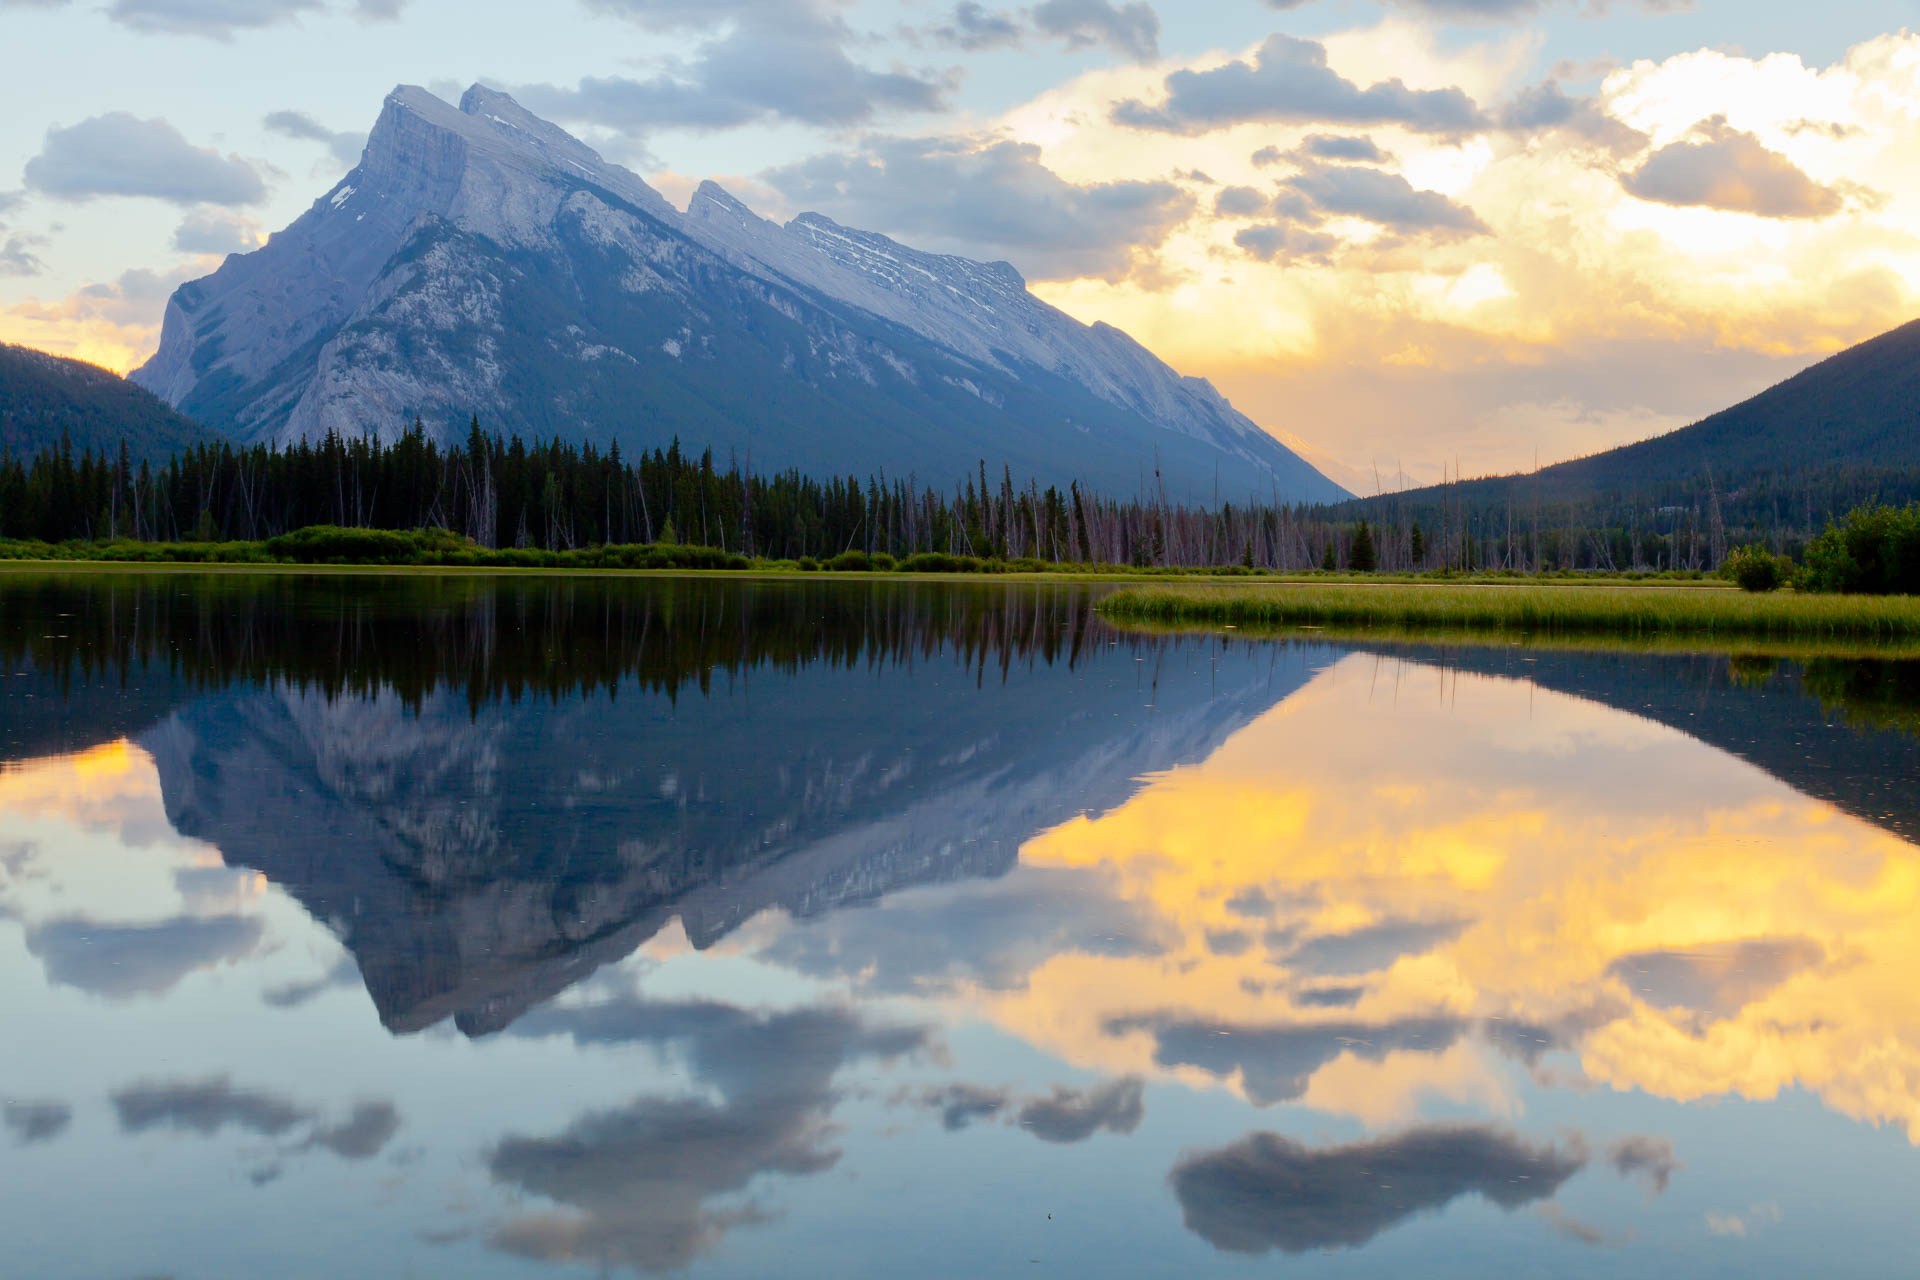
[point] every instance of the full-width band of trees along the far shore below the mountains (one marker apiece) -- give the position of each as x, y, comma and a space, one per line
554, 500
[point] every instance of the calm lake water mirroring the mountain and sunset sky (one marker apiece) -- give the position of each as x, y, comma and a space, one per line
523, 930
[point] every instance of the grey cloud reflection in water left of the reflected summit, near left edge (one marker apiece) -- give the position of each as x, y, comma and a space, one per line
124, 962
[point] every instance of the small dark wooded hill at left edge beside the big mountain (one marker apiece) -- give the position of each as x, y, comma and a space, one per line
43, 396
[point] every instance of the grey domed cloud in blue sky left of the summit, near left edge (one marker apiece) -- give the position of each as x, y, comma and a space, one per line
120, 154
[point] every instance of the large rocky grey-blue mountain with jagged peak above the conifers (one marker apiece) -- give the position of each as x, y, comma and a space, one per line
481, 260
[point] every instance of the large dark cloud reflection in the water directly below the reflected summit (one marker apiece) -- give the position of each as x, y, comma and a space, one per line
635, 1183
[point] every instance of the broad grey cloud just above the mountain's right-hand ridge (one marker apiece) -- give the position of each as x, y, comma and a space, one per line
990, 202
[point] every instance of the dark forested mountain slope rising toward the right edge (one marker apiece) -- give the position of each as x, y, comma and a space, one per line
1838, 433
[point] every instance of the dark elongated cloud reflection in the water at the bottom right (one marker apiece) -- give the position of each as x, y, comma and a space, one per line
1270, 1193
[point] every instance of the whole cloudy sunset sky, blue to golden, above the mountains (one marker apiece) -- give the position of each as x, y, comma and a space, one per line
1406, 237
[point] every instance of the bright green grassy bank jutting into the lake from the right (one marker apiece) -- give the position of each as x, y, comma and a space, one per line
1516, 613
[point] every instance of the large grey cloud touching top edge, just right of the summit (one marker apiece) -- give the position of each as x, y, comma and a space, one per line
788, 62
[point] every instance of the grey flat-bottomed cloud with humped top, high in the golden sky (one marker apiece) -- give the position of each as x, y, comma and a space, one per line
1289, 82
